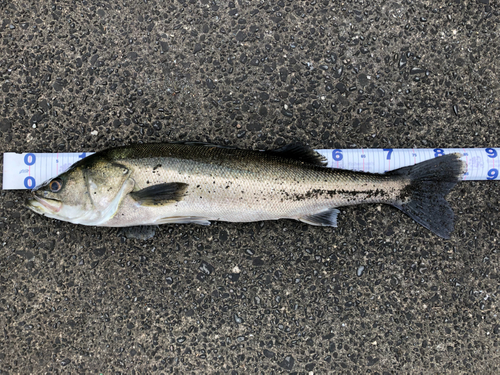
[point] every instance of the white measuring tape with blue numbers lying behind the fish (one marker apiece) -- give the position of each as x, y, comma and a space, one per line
26, 171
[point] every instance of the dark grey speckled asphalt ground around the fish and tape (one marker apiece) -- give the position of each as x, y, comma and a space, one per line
379, 294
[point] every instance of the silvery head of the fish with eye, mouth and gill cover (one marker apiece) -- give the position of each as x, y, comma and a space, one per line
88, 193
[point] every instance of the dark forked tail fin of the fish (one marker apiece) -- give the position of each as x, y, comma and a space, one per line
430, 182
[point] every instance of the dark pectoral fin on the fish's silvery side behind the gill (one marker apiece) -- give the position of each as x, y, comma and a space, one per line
160, 194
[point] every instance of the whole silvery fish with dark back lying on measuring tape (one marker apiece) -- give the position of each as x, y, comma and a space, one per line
193, 182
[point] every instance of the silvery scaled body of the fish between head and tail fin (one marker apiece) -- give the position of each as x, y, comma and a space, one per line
239, 185
